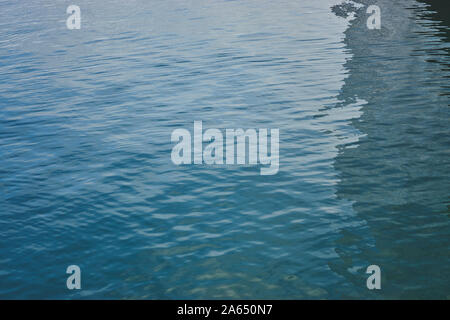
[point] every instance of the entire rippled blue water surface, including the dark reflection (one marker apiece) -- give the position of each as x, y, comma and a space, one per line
86, 176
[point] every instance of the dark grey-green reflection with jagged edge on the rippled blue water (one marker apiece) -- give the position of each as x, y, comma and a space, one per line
397, 175
